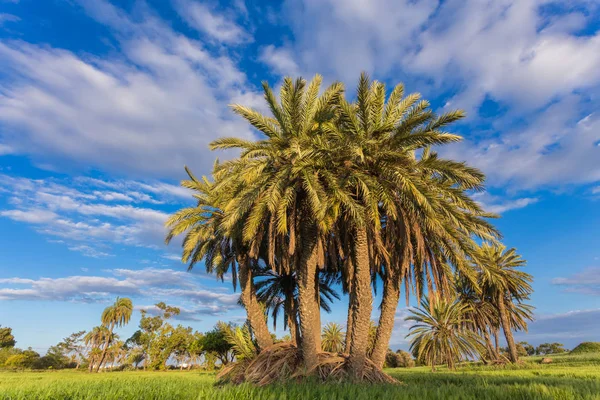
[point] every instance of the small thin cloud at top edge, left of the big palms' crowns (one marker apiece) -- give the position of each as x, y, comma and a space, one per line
206, 20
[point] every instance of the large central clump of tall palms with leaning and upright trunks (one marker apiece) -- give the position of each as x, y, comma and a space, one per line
336, 193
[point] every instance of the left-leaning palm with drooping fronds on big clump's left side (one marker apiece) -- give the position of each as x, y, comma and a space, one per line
206, 238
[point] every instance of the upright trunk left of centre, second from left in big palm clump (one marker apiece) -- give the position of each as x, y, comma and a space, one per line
307, 269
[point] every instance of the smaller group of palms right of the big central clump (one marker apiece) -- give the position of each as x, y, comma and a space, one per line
449, 329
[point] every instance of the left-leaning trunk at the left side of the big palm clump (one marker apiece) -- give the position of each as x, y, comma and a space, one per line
256, 317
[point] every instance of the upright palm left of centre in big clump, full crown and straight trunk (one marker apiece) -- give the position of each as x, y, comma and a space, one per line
279, 190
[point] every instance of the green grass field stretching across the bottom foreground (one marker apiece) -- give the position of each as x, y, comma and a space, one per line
568, 377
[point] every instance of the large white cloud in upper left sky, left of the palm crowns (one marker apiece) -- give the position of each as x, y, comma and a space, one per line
150, 110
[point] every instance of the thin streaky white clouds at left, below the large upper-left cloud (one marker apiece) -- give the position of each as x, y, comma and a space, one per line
84, 212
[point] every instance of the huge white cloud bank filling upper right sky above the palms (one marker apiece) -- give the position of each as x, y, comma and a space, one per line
534, 64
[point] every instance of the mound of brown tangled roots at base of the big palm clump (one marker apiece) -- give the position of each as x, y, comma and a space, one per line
283, 362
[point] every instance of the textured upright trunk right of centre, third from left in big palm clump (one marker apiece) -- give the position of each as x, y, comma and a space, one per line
361, 306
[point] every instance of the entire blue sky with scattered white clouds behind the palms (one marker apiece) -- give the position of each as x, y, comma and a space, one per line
102, 104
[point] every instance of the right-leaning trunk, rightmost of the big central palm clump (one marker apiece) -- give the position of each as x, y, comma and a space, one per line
389, 303
